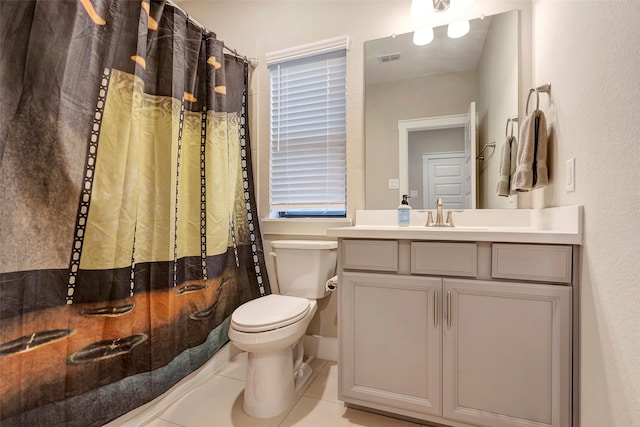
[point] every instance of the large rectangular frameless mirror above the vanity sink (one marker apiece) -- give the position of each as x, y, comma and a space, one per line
406, 83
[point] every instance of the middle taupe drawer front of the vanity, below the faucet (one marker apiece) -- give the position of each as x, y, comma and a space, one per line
444, 259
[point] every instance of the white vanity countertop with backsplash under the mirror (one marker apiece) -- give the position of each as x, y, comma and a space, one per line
562, 225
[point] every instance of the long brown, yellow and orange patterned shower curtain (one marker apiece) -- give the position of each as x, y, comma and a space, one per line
128, 226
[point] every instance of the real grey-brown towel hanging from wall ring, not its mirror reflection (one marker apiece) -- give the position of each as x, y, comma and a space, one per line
531, 160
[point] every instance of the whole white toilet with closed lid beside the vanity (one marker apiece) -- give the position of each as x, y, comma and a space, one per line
270, 328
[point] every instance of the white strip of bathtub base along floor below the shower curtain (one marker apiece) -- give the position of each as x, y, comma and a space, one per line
150, 410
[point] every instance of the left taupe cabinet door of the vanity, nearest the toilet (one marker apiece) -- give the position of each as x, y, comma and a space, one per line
390, 337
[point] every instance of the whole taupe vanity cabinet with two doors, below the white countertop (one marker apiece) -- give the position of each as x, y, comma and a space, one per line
443, 333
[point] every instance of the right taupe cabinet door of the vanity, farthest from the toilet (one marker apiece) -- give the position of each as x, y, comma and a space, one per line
507, 353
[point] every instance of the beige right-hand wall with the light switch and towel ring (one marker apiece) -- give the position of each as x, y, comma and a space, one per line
588, 50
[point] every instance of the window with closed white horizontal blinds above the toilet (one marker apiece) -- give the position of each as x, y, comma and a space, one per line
308, 130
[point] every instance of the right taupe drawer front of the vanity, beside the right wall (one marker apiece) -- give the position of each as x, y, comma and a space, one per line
542, 263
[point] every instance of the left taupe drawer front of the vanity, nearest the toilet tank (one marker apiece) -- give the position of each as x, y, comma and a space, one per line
378, 255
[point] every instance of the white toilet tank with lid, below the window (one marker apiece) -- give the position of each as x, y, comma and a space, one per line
304, 266
